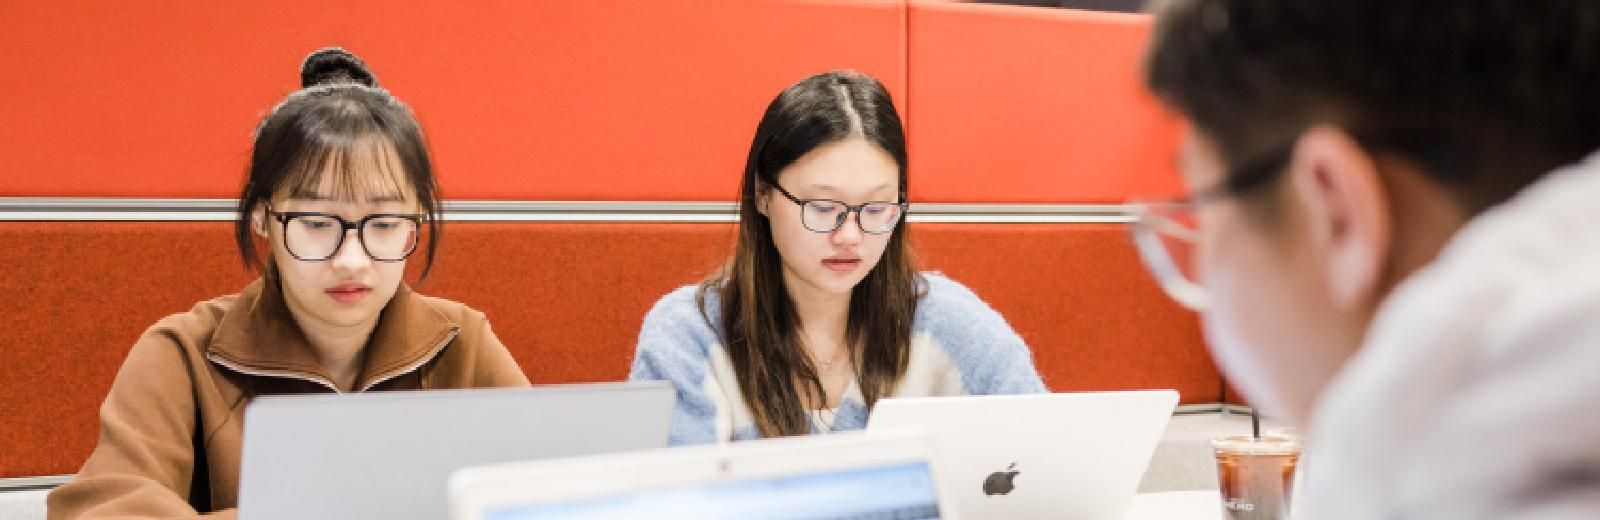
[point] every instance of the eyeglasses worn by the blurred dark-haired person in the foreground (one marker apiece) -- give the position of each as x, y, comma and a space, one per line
1166, 231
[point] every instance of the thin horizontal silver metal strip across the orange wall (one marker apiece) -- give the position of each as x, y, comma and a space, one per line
222, 210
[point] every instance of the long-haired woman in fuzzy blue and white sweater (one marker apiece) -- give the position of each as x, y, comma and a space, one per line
822, 311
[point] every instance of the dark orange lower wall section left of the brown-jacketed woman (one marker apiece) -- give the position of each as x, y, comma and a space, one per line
78, 295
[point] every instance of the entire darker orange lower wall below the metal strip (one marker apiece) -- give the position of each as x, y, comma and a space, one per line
566, 298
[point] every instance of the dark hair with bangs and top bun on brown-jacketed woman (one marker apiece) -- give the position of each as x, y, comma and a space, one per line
338, 122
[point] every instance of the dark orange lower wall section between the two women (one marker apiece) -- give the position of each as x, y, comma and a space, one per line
569, 298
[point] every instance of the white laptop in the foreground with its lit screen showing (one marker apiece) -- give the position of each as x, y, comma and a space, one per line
846, 476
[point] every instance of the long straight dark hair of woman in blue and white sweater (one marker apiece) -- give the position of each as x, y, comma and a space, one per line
759, 322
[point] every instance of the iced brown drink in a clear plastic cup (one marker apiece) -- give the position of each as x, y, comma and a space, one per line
1257, 476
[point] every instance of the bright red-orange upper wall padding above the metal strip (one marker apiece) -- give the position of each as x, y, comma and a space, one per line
585, 100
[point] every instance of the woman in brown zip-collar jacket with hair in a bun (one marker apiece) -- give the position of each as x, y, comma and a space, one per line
343, 193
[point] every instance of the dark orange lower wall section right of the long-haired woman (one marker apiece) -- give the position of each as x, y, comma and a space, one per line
1082, 302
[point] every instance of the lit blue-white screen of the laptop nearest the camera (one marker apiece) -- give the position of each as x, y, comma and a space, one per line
890, 492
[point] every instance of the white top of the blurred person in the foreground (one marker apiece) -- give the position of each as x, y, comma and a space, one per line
1478, 391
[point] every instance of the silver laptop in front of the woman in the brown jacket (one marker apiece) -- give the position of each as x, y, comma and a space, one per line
388, 455
